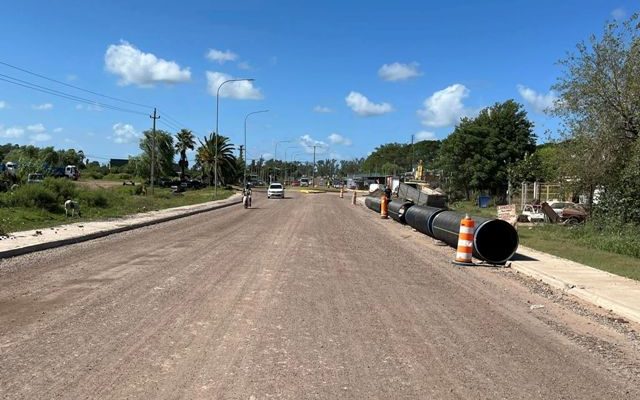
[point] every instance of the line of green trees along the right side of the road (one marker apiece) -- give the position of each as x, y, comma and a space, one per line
597, 150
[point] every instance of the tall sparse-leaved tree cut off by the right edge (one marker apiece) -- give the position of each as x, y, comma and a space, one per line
598, 103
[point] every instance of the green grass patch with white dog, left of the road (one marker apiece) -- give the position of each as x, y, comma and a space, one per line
97, 204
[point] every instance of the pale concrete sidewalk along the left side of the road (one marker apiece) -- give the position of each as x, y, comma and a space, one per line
47, 238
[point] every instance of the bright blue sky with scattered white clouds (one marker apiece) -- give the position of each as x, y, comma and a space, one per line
343, 76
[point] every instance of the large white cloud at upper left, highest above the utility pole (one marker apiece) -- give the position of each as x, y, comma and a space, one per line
142, 69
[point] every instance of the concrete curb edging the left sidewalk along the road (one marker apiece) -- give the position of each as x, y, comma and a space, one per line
95, 235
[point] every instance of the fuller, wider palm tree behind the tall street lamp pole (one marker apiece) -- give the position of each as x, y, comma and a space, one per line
206, 156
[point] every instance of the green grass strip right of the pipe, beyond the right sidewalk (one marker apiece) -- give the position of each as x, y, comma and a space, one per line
605, 250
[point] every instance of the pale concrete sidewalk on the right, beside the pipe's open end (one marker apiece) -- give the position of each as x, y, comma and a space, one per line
612, 292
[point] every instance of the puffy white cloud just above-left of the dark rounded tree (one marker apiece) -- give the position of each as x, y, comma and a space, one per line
444, 107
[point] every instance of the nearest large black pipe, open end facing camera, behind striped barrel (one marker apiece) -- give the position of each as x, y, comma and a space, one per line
494, 240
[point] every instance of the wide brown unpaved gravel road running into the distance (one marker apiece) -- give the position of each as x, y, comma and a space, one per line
306, 297
